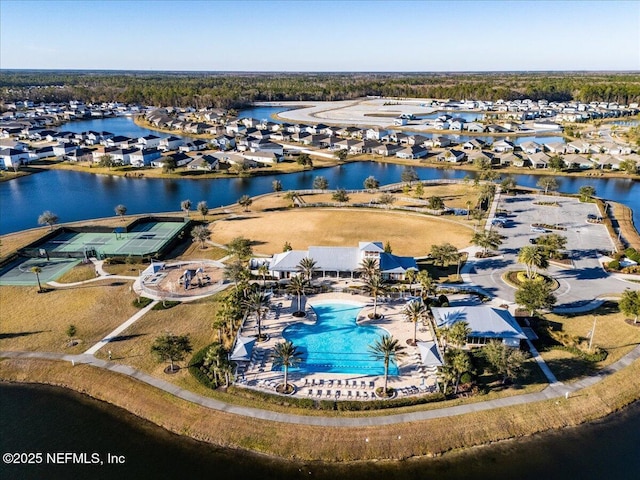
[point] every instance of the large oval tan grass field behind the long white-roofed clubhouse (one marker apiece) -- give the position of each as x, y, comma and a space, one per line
408, 234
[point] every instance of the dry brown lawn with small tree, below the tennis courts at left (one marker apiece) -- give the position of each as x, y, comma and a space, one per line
32, 321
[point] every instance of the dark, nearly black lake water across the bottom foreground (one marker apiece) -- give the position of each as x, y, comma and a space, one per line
49, 419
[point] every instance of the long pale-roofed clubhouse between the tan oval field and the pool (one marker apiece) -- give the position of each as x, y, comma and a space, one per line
342, 262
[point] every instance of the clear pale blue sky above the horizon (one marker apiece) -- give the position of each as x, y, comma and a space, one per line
306, 35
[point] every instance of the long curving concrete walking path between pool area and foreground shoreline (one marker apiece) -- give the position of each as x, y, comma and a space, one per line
551, 392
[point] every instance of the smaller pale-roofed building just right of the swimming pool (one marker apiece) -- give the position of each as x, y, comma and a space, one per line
486, 324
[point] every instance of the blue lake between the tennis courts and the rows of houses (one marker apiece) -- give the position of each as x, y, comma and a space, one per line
77, 196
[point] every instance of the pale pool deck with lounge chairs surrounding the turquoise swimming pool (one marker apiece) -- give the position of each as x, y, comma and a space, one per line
259, 374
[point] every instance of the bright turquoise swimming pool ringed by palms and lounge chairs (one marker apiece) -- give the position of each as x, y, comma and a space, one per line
336, 343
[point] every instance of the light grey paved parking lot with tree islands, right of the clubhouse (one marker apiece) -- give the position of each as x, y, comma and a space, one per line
580, 282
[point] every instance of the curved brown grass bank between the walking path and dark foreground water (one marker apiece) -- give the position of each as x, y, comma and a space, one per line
332, 444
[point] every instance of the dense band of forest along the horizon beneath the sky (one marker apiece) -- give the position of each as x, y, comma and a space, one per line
236, 90
